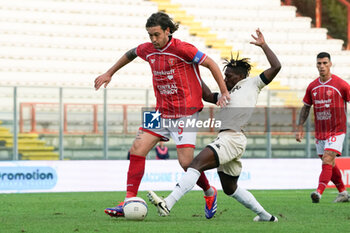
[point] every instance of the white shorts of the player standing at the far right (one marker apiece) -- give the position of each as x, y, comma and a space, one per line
333, 143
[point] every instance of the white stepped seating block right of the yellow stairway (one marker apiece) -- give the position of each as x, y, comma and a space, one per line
292, 37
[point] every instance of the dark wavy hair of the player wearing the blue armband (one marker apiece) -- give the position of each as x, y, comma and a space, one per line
163, 20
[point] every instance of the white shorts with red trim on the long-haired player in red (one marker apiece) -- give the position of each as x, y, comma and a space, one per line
183, 137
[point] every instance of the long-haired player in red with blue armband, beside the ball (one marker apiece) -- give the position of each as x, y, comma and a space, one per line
178, 91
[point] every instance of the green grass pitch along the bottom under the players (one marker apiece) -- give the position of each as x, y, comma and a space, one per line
84, 212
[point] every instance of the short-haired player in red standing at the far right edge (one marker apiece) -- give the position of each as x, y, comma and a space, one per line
329, 95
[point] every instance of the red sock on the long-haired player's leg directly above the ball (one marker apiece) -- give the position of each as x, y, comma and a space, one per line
135, 174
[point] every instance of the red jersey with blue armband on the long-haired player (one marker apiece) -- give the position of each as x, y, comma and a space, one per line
176, 78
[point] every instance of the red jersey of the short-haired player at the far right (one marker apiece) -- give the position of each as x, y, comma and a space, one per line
329, 100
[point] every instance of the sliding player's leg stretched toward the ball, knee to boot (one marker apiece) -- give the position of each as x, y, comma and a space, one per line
204, 161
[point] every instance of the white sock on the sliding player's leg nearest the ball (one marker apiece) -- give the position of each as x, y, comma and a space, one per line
185, 184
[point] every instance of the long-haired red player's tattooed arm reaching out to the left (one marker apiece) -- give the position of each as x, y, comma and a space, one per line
107, 77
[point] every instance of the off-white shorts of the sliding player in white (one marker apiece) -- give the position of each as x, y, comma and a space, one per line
229, 148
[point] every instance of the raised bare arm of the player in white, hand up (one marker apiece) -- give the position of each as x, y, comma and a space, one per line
275, 64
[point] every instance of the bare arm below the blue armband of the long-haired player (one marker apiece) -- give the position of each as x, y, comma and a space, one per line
215, 71
